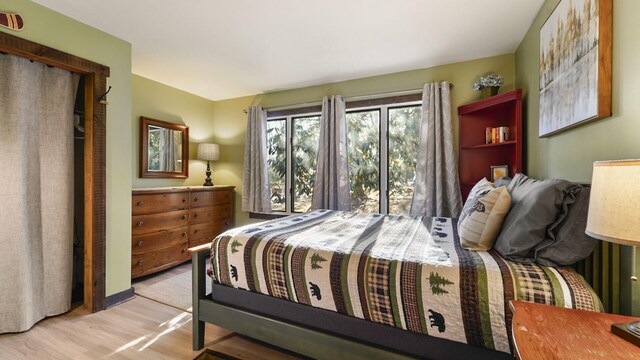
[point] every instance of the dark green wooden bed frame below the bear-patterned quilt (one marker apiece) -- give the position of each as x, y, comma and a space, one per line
319, 342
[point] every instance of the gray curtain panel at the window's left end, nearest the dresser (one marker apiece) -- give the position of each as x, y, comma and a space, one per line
256, 195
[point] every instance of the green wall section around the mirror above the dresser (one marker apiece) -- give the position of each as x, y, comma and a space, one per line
158, 101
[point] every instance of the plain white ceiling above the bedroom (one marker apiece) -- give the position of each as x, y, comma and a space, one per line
224, 49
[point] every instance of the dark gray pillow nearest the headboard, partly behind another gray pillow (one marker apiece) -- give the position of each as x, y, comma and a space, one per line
571, 243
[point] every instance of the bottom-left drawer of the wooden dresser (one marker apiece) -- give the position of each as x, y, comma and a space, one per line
150, 262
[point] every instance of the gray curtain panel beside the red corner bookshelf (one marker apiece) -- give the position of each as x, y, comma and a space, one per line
437, 187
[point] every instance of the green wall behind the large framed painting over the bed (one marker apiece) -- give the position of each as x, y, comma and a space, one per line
570, 154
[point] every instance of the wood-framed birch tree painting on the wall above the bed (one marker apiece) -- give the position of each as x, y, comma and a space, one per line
575, 65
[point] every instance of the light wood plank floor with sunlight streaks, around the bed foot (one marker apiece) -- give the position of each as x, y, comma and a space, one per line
137, 329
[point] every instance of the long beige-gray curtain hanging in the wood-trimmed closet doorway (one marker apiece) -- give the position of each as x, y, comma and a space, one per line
36, 216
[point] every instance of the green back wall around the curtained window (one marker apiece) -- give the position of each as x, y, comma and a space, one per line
229, 119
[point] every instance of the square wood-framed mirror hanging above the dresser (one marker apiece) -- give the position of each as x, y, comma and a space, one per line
164, 149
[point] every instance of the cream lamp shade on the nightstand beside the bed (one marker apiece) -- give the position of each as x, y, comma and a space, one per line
614, 206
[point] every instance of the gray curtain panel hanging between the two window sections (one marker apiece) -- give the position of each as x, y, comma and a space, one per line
331, 187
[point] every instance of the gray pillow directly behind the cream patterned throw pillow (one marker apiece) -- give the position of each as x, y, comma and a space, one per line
536, 207
